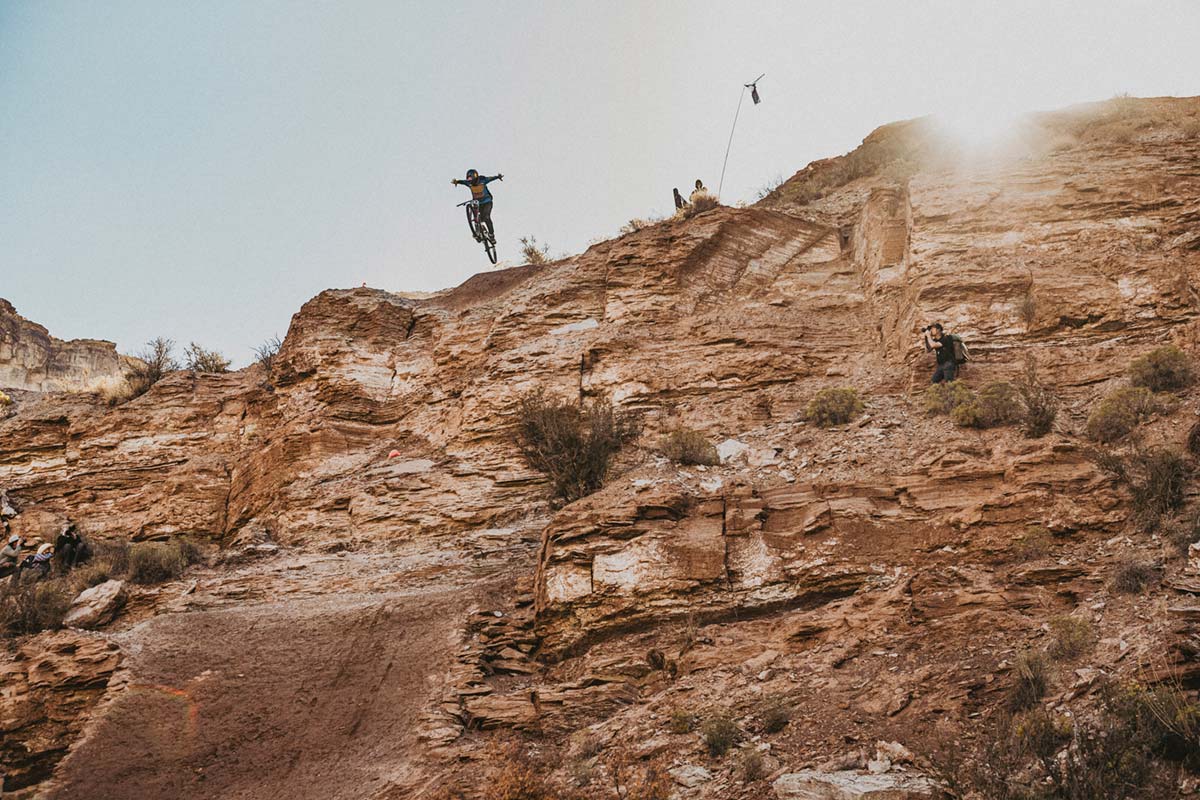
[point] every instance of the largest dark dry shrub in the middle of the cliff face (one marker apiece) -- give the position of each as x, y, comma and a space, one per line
572, 444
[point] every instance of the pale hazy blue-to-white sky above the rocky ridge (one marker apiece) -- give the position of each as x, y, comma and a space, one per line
199, 171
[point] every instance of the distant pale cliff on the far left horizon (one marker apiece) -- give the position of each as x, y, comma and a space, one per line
33, 360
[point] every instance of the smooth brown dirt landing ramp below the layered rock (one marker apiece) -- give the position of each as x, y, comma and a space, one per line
302, 678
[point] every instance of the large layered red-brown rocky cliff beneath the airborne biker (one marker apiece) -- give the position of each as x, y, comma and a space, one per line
393, 616
